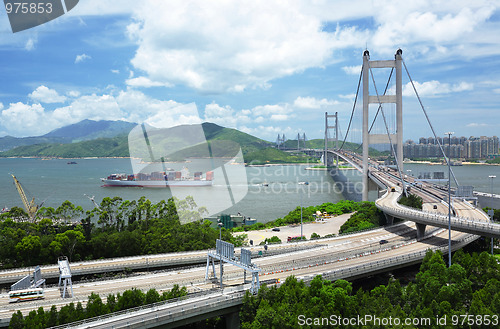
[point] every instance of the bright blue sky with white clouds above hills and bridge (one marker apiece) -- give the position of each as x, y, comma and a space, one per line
265, 68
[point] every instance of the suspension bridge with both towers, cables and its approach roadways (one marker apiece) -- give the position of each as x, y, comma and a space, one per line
346, 257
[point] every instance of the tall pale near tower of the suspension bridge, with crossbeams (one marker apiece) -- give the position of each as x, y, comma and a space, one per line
380, 99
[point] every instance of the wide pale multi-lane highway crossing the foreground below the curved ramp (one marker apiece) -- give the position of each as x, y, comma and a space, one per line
339, 257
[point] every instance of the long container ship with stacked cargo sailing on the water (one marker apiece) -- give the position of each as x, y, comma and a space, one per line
160, 179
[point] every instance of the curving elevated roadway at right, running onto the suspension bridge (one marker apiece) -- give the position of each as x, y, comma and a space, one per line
469, 219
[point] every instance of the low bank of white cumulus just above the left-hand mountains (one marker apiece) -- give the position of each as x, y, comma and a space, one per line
21, 119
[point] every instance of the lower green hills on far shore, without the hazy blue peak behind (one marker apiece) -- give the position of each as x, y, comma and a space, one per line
223, 142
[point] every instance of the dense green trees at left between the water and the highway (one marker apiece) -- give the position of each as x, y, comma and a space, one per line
124, 228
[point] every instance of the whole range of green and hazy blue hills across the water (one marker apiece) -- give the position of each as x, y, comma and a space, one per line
90, 138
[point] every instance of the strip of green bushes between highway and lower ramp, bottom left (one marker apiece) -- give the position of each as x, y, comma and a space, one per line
94, 307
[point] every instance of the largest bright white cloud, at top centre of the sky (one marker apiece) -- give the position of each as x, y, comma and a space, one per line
248, 48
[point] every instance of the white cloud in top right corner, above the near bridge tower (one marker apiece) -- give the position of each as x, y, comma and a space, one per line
434, 28
